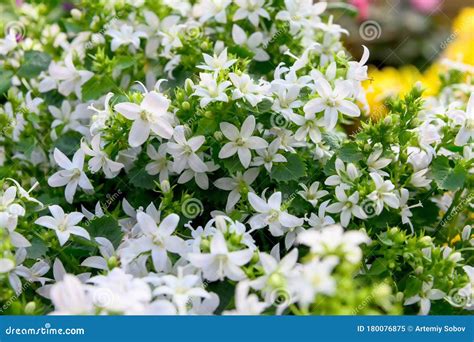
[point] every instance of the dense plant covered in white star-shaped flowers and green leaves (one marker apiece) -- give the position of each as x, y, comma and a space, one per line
177, 157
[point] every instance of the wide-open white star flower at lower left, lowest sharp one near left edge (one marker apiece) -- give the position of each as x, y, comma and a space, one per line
63, 224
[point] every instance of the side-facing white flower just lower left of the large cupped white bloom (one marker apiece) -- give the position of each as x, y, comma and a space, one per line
100, 160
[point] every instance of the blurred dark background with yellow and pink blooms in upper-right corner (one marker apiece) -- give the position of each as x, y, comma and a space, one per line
409, 41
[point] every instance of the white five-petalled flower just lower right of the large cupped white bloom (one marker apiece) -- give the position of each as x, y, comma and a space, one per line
184, 151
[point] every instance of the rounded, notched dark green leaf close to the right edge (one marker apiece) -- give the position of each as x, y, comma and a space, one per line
446, 176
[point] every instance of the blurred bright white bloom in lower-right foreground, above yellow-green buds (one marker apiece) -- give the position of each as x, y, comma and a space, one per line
332, 240
